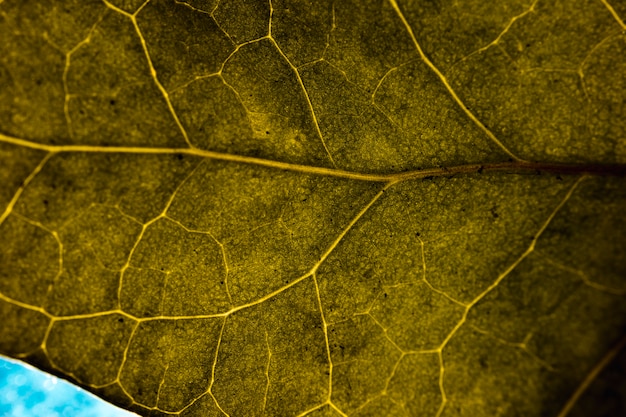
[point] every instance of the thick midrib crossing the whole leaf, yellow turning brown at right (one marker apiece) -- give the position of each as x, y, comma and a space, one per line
506, 166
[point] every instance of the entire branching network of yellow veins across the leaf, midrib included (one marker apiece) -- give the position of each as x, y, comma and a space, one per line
387, 180
